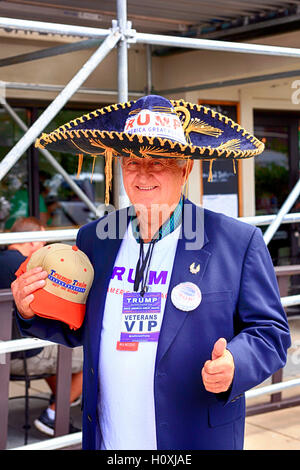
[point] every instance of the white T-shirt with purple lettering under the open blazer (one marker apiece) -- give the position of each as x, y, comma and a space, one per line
126, 396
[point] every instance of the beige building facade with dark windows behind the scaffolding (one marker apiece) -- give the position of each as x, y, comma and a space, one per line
261, 92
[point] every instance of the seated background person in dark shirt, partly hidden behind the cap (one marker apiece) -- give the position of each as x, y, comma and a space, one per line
39, 361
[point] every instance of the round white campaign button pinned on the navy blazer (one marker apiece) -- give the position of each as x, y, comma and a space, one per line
186, 296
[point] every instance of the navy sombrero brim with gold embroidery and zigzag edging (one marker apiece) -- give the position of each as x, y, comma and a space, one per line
209, 134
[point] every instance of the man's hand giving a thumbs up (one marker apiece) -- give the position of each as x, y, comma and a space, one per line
217, 373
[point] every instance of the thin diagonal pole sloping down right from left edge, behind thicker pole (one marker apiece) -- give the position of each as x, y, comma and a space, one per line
53, 162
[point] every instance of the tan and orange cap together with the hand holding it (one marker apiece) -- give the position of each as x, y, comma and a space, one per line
54, 283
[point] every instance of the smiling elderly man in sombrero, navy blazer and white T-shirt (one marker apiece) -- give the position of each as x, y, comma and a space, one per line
184, 313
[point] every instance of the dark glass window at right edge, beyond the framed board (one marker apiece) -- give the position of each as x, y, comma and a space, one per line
276, 173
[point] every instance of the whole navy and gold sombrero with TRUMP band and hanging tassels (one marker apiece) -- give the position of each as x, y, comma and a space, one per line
153, 126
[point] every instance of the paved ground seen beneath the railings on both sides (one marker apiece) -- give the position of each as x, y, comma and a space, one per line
277, 430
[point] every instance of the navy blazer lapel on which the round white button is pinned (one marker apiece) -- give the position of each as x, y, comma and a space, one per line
173, 317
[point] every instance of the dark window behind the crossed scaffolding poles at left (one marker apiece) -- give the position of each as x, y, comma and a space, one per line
34, 180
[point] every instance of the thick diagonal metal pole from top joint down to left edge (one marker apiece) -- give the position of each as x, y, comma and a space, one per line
15, 153
